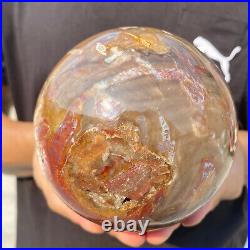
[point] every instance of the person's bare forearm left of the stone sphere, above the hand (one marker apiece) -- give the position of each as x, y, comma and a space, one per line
17, 146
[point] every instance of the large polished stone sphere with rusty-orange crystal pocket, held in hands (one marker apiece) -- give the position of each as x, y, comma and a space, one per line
136, 123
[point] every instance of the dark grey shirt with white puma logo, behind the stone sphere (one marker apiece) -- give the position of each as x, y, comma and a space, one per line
37, 35
